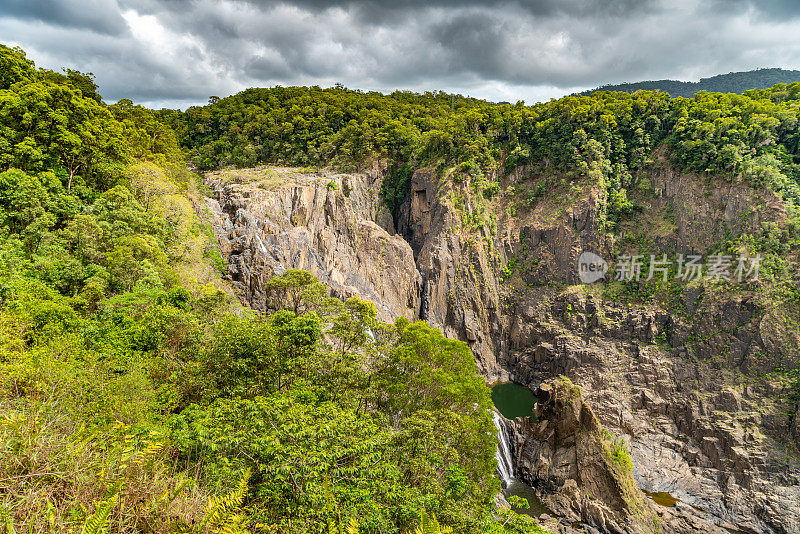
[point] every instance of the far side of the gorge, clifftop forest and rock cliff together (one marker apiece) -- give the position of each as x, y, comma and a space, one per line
697, 374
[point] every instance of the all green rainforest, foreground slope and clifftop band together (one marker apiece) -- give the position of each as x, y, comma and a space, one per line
138, 395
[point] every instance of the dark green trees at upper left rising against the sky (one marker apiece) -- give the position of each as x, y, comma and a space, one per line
57, 122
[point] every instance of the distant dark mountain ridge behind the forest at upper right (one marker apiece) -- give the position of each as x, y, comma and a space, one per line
733, 82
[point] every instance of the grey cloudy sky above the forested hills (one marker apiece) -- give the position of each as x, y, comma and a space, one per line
176, 53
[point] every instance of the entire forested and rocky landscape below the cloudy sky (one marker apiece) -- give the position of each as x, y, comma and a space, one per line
281, 311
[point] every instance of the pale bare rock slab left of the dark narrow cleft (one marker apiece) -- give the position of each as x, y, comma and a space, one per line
338, 233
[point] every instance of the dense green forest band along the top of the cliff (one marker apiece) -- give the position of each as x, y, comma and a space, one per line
608, 136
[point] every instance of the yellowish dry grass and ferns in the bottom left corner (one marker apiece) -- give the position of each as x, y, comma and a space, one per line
54, 474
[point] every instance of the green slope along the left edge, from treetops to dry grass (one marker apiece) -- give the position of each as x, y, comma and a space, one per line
101, 302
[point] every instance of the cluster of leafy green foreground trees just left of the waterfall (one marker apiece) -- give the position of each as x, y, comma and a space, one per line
330, 432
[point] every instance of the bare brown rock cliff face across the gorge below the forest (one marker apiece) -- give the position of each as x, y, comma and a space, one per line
686, 383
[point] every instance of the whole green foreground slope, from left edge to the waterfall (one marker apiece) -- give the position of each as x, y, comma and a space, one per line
136, 395
